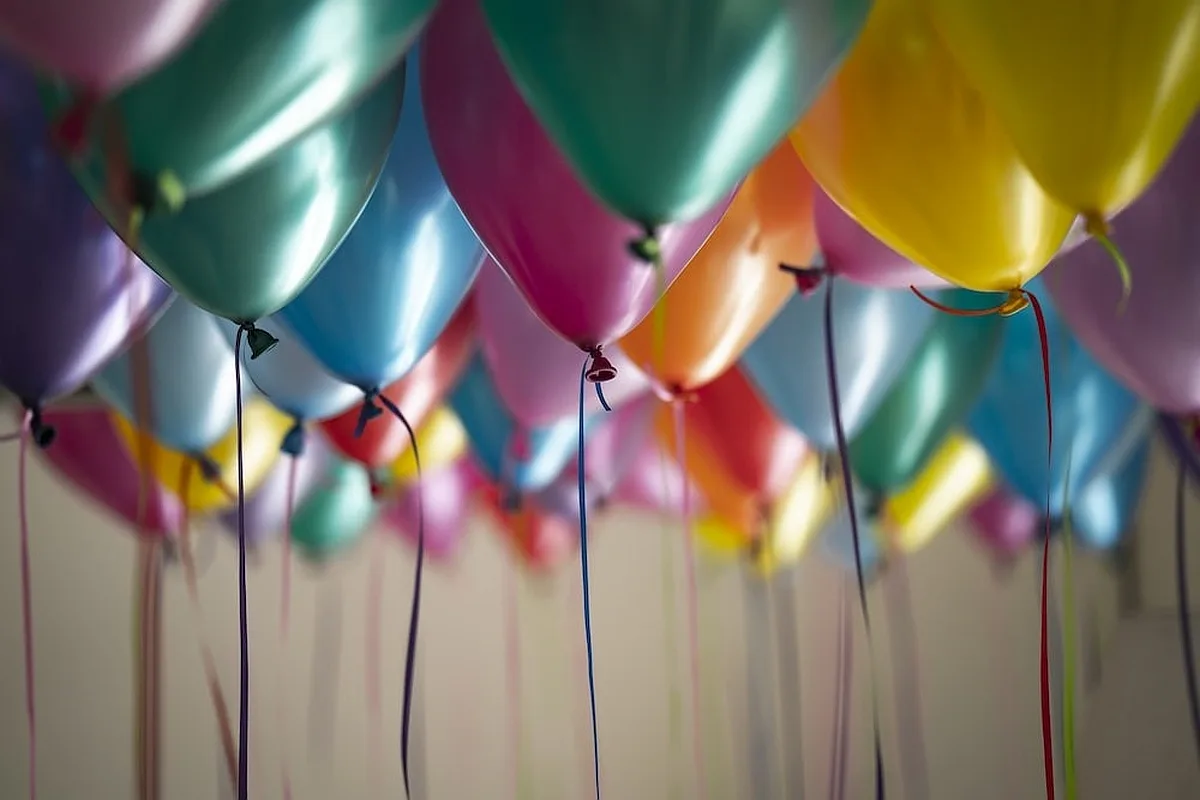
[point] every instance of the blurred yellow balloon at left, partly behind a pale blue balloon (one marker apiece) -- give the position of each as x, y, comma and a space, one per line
265, 429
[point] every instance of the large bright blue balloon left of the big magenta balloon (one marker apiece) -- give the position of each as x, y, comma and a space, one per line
391, 288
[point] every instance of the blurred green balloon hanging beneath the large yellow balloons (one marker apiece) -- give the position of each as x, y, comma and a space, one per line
933, 396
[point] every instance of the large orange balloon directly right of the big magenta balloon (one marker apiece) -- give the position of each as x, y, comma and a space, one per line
733, 287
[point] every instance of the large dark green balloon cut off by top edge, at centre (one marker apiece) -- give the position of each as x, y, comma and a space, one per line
664, 106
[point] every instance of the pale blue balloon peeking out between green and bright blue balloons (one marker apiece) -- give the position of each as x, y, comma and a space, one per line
292, 380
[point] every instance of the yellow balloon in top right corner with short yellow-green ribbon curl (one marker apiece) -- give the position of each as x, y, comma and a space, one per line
1095, 95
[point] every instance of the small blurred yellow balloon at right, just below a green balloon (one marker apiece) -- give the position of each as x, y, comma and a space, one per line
957, 477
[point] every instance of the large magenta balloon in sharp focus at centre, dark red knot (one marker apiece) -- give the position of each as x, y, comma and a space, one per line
567, 254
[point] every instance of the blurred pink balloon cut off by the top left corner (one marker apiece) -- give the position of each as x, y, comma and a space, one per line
100, 45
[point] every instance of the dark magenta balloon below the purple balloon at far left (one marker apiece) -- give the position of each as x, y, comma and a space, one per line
89, 454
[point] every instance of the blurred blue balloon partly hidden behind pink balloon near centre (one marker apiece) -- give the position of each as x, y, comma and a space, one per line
524, 466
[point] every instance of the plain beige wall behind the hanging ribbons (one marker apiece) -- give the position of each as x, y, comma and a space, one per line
976, 640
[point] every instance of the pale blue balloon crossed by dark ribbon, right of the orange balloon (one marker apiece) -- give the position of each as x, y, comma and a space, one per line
875, 334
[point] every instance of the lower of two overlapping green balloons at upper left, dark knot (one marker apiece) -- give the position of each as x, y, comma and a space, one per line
247, 250
